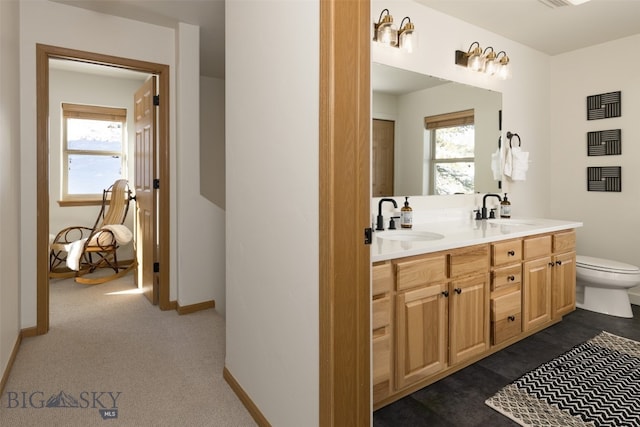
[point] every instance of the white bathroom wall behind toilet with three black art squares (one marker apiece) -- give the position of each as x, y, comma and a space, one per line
611, 220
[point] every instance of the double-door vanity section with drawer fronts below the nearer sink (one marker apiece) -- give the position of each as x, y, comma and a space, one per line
442, 307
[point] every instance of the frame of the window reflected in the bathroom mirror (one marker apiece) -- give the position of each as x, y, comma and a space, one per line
441, 121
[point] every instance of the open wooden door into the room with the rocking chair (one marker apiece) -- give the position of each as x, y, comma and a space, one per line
145, 172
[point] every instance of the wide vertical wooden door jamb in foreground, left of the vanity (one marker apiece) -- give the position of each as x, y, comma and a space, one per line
345, 194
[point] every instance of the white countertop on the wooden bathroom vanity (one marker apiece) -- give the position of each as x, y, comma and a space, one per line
457, 234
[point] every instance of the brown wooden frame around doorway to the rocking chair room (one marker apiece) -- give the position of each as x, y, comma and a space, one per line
43, 54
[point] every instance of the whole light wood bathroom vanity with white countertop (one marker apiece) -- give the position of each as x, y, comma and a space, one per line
446, 295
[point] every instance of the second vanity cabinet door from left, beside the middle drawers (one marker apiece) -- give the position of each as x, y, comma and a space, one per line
468, 318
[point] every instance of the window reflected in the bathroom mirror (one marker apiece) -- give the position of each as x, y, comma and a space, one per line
452, 148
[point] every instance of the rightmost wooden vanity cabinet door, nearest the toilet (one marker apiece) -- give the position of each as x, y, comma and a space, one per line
563, 279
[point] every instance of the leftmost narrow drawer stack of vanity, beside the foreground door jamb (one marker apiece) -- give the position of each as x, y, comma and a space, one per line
382, 329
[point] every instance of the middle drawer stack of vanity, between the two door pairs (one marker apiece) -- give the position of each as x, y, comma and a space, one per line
506, 290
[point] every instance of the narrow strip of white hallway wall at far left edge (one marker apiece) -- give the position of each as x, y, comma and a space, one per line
9, 182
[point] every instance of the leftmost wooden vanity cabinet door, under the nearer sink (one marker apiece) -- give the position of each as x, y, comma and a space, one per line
421, 333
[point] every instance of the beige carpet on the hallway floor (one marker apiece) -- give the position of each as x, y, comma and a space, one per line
112, 359
